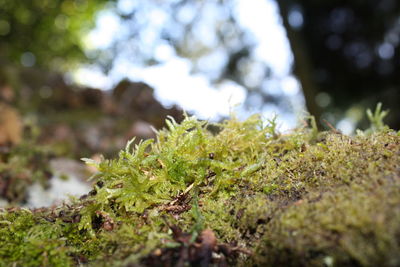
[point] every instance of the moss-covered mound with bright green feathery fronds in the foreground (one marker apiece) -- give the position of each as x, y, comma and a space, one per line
246, 195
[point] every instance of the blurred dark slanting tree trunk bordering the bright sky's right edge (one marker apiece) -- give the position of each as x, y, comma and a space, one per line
303, 68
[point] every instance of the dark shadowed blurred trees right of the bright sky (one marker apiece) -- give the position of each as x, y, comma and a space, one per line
352, 54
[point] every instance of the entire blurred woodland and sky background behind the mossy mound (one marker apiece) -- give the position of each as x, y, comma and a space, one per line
78, 78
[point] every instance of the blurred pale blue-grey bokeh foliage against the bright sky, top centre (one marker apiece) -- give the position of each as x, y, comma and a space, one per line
206, 33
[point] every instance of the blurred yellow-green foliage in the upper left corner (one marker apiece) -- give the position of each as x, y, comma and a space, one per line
45, 33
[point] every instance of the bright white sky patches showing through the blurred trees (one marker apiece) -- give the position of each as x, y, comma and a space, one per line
175, 84
